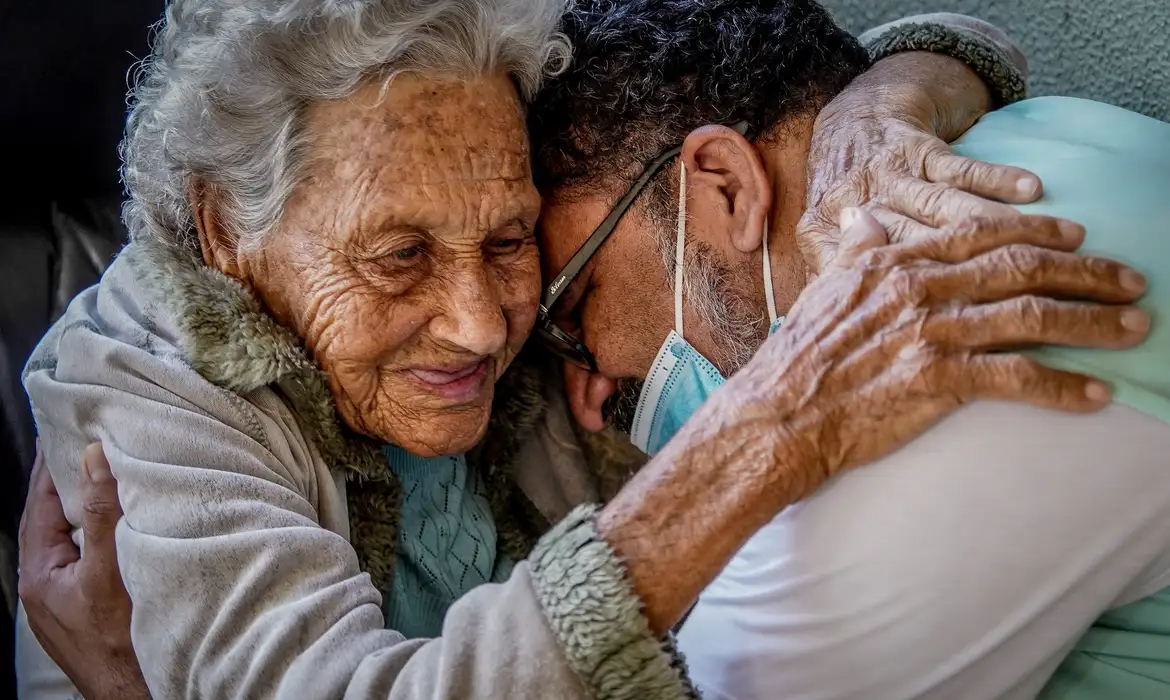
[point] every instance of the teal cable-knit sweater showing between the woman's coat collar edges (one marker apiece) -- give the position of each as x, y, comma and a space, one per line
446, 541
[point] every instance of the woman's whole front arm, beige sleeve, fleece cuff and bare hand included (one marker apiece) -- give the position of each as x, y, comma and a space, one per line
239, 593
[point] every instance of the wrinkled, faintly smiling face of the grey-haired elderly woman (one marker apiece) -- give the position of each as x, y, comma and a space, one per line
407, 260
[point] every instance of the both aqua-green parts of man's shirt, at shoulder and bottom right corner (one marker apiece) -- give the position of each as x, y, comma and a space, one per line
1109, 169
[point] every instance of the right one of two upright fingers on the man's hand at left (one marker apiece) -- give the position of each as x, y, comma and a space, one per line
101, 513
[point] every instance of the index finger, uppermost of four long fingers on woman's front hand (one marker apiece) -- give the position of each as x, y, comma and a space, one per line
979, 236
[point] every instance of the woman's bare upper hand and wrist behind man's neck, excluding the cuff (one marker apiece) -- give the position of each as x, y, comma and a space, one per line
883, 143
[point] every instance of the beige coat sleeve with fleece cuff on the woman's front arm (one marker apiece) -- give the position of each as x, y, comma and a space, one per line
238, 589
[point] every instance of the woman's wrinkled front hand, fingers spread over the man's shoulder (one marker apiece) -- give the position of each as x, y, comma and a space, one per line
892, 338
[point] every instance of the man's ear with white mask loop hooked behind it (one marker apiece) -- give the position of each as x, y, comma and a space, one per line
728, 186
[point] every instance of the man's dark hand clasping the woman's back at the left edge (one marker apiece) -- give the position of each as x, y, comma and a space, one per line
77, 605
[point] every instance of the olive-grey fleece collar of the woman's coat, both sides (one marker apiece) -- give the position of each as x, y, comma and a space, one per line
230, 340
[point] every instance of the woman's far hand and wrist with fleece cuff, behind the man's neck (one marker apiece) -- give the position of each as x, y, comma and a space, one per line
877, 142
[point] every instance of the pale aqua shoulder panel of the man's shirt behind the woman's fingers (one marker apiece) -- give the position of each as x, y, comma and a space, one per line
1109, 169
